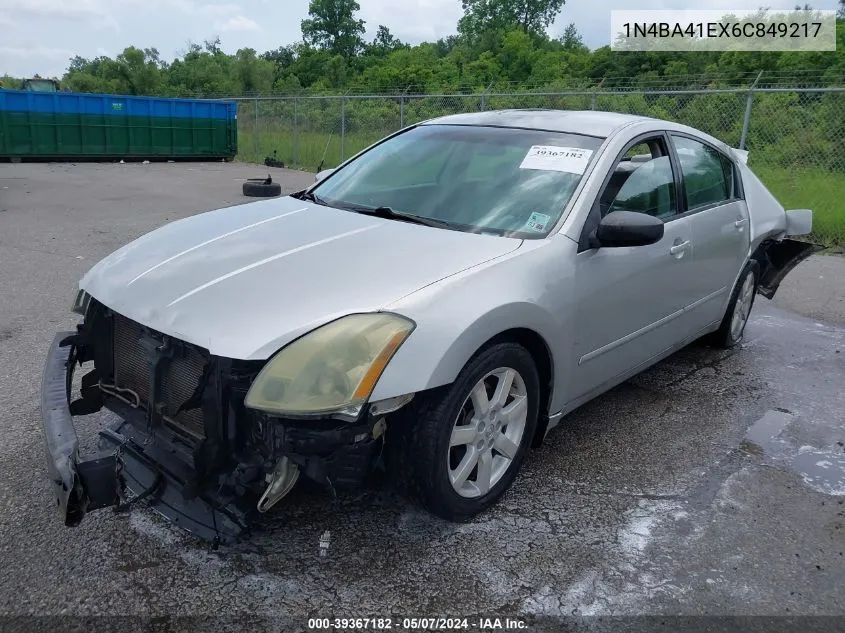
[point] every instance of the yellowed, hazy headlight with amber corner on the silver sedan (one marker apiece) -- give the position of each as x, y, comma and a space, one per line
333, 369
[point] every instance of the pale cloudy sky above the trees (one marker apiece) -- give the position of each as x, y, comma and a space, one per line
39, 36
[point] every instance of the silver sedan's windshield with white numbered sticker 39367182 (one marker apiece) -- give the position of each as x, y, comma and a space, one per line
481, 179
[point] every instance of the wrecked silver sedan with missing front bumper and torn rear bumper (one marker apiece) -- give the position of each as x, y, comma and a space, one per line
435, 305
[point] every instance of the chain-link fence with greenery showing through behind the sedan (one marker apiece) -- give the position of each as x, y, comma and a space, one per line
795, 136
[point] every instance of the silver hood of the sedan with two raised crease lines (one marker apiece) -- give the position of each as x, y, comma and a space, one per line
245, 280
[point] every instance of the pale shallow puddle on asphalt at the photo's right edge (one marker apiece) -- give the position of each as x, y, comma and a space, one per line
822, 469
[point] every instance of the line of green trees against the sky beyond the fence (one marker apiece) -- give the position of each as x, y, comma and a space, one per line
500, 44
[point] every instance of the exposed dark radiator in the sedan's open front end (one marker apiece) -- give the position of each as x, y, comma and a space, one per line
181, 376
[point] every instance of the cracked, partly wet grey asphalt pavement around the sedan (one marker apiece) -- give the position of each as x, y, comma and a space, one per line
713, 483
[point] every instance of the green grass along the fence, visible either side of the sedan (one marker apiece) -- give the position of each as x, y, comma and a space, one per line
809, 188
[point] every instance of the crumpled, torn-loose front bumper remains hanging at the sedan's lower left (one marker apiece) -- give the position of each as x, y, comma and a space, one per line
127, 465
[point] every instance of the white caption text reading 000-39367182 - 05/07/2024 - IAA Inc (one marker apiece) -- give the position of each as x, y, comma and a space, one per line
417, 624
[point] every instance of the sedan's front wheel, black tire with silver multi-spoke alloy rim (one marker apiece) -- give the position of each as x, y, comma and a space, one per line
458, 449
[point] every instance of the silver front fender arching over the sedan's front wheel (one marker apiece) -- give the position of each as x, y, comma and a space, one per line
455, 318
